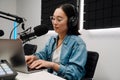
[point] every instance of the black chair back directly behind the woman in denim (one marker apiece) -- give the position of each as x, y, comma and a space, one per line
91, 63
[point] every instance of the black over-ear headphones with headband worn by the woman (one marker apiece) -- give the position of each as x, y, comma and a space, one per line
73, 21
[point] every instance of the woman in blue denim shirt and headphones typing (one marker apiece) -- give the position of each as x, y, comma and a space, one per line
65, 54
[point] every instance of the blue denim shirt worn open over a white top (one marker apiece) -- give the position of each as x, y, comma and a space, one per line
72, 58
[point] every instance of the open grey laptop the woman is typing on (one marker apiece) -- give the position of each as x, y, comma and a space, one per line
12, 51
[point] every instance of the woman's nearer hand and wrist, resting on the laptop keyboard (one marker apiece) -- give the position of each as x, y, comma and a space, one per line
37, 64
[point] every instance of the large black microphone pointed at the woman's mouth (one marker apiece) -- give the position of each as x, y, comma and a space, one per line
38, 31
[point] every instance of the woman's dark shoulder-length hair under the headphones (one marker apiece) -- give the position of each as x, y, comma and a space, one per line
71, 11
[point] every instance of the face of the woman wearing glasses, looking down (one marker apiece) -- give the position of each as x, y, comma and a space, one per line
59, 21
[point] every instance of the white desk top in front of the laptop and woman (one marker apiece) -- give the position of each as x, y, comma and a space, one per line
42, 75
